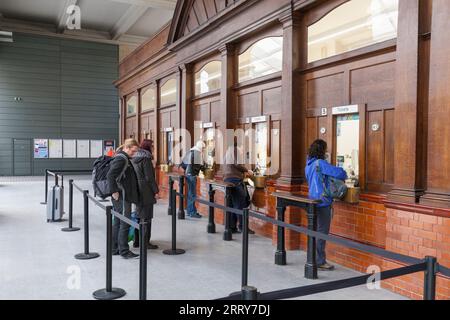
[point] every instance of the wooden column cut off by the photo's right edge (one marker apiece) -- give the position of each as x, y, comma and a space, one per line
438, 175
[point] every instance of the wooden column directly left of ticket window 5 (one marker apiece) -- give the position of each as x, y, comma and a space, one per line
292, 112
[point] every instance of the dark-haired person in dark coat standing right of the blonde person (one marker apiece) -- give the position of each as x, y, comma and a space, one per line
148, 189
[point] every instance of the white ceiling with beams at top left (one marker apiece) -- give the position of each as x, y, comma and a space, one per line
116, 20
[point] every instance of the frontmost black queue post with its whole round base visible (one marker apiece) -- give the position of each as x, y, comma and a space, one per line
109, 293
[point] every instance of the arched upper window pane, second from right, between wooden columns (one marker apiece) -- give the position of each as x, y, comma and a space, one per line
263, 58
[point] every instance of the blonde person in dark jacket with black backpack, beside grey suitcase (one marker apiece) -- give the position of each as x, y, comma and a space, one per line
123, 185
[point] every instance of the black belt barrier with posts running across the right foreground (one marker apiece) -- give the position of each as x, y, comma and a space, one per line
429, 265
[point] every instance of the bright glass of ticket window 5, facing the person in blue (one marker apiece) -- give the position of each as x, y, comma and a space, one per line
347, 144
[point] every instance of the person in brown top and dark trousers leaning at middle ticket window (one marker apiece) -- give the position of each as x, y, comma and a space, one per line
235, 173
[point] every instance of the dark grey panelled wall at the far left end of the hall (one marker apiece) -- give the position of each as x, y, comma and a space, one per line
67, 92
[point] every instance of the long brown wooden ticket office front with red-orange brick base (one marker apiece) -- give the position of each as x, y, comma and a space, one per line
295, 71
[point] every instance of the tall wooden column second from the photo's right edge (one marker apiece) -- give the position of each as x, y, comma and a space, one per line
411, 84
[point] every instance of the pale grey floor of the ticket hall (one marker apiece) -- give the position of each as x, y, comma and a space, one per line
37, 259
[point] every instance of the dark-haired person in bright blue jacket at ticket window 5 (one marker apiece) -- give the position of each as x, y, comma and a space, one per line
325, 182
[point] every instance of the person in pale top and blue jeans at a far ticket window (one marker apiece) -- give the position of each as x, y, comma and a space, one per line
193, 161
